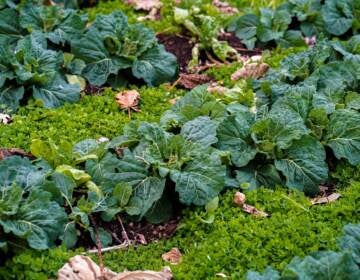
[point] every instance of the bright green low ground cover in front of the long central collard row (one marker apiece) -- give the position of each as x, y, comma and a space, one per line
234, 243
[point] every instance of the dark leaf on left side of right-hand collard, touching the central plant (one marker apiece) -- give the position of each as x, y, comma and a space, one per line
234, 135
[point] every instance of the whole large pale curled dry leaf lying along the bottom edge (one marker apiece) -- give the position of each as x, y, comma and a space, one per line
83, 268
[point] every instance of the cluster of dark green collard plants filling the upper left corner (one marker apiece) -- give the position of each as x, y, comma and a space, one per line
47, 52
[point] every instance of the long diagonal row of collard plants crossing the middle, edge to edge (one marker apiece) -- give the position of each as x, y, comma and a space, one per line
297, 116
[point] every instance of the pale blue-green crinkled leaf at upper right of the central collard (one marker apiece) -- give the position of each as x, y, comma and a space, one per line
201, 130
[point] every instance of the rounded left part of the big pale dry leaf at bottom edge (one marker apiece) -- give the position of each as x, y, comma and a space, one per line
83, 268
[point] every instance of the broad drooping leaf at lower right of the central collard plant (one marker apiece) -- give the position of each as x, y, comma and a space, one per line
200, 180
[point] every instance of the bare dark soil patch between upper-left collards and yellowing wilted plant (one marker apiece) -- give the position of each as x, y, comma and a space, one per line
179, 46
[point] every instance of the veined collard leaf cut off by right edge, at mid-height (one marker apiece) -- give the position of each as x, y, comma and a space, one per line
343, 135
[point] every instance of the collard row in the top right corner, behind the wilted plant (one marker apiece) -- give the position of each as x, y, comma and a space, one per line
288, 23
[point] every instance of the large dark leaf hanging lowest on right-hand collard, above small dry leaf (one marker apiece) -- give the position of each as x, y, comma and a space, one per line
303, 165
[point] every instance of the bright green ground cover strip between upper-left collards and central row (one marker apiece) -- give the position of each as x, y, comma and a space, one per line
93, 117
